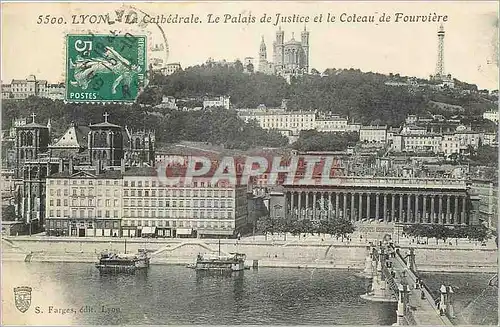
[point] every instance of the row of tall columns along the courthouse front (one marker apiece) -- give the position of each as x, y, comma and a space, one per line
406, 207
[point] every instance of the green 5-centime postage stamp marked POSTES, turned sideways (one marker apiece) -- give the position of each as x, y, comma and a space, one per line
105, 68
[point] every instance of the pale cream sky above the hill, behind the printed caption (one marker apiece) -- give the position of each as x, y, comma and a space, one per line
470, 52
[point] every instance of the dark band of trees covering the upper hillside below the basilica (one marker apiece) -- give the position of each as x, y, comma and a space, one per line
359, 95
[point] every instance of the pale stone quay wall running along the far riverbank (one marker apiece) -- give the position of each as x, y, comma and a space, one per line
309, 252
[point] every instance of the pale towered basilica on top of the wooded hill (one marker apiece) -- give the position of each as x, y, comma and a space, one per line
290, 58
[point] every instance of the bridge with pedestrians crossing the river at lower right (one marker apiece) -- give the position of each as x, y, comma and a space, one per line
395, 279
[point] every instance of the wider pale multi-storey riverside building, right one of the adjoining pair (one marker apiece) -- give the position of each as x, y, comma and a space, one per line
200, 208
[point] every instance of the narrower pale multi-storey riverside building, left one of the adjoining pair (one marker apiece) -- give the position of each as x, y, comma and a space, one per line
84, 203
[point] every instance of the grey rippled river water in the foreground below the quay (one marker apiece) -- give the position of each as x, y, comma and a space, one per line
75, 293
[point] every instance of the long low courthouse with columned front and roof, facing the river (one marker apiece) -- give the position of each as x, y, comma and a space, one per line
395, 200
